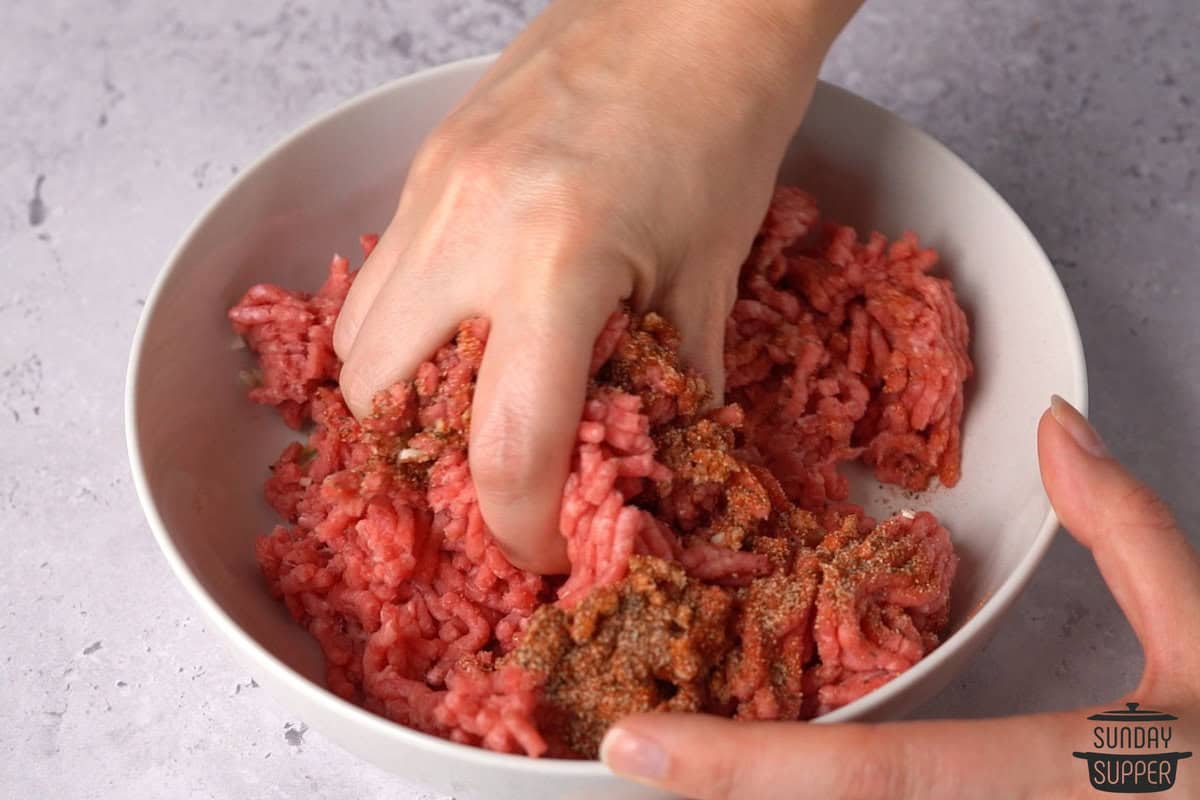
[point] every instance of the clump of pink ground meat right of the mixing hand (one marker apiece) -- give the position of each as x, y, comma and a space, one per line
842, 350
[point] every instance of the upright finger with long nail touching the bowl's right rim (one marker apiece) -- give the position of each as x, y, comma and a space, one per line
1147, 561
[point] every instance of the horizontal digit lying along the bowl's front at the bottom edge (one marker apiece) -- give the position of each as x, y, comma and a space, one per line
711, 759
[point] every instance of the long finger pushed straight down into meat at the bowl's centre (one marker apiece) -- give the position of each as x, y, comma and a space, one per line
526, 414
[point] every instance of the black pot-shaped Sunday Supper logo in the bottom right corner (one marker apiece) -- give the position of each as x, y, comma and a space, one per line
1132, 751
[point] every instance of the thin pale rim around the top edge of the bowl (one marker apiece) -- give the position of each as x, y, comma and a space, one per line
353, 715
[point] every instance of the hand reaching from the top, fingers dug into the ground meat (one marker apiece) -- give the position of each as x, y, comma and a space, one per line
620, 151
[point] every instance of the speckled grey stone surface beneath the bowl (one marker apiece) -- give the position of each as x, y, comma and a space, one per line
124, 119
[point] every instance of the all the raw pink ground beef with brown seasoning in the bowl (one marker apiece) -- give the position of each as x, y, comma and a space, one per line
717, 564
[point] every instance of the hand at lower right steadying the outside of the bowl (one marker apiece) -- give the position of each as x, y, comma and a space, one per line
1155, 576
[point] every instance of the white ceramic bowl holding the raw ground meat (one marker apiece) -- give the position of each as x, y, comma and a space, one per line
200, 450
